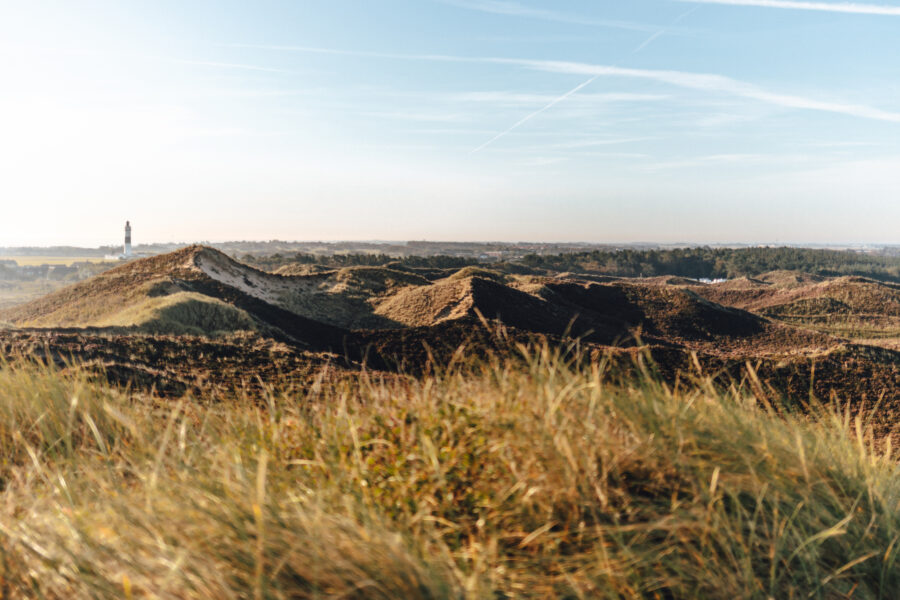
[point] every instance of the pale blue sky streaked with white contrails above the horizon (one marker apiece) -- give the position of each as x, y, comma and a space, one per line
700, 121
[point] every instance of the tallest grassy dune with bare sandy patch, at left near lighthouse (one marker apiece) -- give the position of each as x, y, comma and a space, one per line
195, 290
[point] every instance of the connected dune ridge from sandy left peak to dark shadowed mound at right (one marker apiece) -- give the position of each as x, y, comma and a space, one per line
199, 290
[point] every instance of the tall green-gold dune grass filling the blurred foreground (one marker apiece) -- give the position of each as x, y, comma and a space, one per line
517, 478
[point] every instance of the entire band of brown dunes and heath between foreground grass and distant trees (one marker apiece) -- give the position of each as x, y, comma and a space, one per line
799, 330
